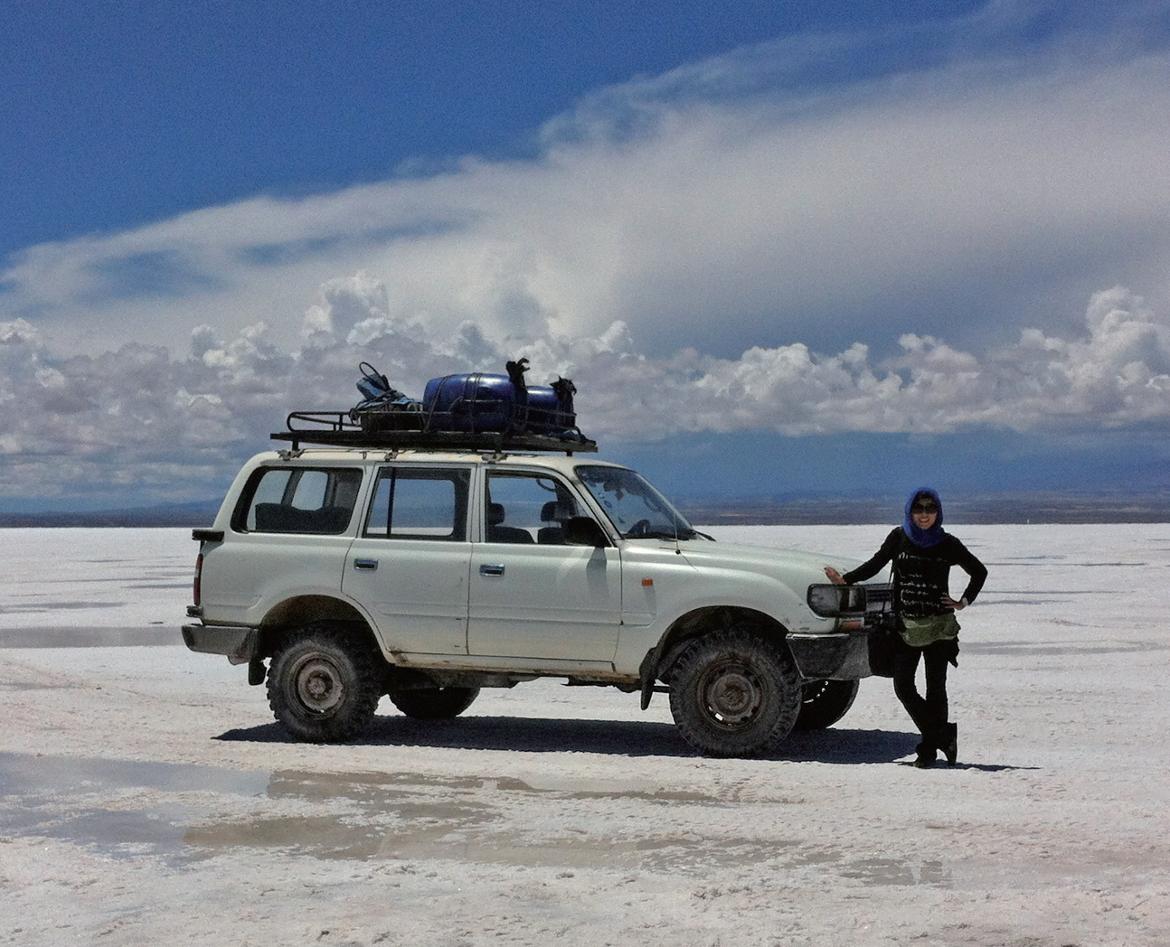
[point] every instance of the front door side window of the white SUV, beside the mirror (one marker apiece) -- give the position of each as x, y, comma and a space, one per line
527, 509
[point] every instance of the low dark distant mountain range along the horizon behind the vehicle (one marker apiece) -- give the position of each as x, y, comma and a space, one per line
1014, 507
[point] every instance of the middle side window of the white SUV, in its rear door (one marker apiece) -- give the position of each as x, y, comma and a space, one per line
419, 505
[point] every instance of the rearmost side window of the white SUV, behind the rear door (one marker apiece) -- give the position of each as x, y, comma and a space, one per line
318, 500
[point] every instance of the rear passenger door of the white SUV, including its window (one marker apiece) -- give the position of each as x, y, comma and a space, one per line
409, 566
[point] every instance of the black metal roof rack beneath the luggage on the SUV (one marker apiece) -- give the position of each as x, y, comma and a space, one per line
336, 429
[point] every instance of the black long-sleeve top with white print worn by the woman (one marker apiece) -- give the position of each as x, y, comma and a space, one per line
921, 574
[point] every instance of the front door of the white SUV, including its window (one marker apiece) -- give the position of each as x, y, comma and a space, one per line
533, 596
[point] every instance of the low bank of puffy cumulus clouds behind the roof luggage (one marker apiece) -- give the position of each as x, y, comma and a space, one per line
169, 424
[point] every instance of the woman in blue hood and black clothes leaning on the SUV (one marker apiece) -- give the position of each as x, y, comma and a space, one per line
923, 554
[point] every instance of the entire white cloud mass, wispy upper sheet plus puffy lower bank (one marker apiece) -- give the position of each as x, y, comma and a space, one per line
726, 248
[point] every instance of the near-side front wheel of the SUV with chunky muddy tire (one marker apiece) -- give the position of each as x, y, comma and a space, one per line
735, 694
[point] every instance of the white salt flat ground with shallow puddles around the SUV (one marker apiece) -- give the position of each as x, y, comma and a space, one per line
148, 797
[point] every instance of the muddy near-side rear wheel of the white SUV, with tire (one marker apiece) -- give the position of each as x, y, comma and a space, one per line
325, 683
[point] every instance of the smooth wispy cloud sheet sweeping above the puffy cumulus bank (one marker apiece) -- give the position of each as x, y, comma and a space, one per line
732, 203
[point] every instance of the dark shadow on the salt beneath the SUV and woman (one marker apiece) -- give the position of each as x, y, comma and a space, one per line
617, 738
